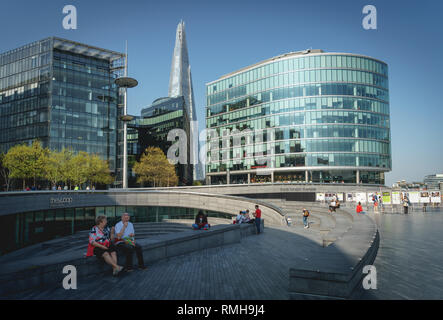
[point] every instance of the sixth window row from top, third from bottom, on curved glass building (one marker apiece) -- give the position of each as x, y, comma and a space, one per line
309, 131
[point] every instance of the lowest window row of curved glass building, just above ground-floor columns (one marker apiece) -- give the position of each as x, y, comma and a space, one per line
306, 160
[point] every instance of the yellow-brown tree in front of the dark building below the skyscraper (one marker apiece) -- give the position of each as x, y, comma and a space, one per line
154, 168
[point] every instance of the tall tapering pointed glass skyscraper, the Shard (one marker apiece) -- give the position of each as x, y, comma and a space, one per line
180, 84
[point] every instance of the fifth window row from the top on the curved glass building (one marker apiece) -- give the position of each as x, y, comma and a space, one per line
308, 117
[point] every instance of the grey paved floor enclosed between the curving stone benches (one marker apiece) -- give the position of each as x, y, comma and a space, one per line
257, 268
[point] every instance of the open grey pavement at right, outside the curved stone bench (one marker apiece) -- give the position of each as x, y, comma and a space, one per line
410, 257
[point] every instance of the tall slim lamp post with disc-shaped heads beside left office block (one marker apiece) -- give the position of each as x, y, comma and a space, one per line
125, 82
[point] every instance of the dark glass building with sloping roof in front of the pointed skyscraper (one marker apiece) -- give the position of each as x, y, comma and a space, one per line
152, 128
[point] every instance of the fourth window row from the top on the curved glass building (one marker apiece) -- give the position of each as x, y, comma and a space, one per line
298, 104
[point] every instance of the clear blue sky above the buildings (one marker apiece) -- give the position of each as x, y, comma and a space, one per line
224, 36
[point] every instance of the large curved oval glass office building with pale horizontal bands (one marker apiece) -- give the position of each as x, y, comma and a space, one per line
307, 116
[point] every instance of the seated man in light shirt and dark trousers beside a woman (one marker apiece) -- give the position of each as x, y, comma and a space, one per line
125, 242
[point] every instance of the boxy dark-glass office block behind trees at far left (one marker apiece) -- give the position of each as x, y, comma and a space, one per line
62, 93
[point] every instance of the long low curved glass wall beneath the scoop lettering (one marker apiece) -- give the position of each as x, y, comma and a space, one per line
29, 228
